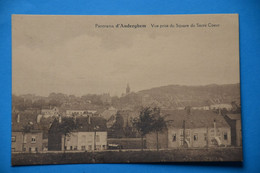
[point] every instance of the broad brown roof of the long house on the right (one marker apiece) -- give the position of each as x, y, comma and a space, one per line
196, 119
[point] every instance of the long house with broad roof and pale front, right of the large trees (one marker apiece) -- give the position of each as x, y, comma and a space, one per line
192, 128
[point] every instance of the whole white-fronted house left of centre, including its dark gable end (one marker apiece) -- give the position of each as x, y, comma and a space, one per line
90, 134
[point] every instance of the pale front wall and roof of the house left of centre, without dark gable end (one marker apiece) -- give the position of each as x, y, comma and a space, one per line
90, 135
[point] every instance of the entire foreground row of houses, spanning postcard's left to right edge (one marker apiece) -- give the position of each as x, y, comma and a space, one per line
193, 128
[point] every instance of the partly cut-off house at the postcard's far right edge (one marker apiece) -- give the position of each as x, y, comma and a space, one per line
234, 120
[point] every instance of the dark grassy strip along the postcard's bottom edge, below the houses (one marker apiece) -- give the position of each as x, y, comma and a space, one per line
134, 156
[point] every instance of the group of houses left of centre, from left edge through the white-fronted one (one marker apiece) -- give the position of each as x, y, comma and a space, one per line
90, 133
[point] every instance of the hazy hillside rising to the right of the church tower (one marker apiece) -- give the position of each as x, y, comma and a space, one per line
173, 96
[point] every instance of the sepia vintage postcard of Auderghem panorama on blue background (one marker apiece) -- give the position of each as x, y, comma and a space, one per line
125, 89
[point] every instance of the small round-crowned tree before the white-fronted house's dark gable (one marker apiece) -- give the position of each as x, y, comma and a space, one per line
66, 127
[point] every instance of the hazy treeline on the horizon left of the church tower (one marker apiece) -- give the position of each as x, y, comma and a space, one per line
28, 101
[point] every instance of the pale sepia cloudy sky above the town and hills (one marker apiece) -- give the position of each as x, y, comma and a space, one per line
68, 54
